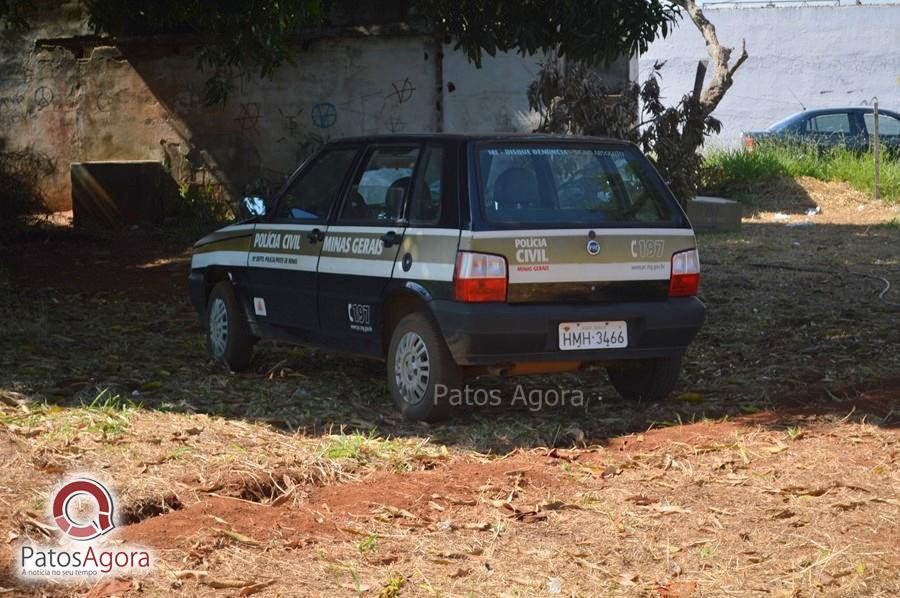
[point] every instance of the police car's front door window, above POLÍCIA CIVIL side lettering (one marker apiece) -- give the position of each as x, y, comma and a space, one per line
310, 195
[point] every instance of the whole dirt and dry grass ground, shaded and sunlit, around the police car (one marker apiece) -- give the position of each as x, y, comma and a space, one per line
773, 469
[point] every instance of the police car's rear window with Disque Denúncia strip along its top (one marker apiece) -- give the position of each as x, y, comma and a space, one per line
569, 185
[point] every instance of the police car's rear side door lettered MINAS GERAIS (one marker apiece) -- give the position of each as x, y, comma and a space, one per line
361, 245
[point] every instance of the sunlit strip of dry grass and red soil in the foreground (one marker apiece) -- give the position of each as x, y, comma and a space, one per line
736, 508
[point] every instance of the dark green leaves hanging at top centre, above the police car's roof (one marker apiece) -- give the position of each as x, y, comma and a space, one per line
585, 30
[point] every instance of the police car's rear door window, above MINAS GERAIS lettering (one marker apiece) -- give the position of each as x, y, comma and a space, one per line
379, 189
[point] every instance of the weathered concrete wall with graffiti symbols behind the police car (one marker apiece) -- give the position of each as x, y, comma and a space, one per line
144, 102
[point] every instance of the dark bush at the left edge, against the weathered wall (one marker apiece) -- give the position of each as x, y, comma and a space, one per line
20, 174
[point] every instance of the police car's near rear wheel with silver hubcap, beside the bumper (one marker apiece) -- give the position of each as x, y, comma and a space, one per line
421, 371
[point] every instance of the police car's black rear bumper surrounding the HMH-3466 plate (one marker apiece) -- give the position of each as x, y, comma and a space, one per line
495, 333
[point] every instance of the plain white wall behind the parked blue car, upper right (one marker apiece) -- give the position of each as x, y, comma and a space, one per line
815, 56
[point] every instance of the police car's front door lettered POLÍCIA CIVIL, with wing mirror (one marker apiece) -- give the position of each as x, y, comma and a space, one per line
284, 250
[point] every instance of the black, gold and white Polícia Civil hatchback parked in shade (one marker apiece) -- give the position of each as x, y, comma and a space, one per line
451, 256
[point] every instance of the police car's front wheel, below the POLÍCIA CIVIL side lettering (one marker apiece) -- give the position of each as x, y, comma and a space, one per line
228, 336
